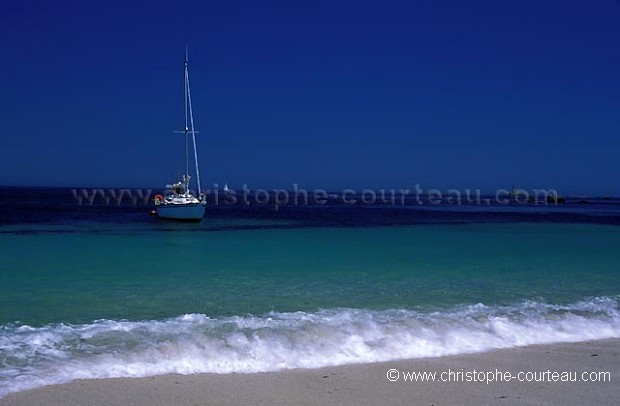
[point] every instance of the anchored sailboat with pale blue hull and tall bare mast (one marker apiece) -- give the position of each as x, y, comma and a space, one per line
179, 203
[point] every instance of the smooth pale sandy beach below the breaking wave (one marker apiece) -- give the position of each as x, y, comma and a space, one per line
368, 384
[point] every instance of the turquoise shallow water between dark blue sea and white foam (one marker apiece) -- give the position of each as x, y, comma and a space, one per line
80, 276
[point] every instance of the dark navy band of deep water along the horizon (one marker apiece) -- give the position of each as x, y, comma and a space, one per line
60, 206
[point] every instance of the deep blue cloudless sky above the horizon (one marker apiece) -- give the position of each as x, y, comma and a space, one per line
330, 94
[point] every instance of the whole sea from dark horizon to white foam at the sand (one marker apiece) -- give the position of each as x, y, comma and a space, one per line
99, 289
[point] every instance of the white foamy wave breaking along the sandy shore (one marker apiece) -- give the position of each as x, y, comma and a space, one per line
193, 343
